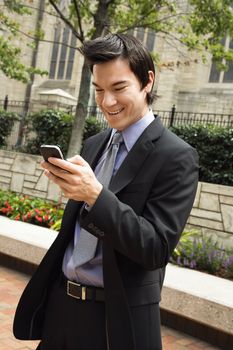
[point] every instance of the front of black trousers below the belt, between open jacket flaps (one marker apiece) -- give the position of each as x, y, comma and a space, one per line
71, 324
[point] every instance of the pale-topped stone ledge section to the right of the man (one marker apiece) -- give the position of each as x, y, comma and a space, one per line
200, 297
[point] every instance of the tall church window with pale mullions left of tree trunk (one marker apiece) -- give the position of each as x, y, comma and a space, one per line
62, 59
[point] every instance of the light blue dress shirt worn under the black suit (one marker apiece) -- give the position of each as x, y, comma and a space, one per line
91, 273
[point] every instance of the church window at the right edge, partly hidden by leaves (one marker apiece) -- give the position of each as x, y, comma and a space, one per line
217, 76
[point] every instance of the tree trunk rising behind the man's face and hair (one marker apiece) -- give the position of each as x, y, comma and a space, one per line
100, 20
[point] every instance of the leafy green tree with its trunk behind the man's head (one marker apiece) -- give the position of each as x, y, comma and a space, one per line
198, 25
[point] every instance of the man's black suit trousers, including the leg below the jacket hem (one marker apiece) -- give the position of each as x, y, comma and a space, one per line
71, 324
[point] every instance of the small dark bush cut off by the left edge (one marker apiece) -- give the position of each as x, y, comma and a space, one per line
7, 120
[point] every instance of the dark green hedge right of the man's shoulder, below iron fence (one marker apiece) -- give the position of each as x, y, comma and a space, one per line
215, 148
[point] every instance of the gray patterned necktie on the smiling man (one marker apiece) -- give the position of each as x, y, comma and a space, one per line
85, 249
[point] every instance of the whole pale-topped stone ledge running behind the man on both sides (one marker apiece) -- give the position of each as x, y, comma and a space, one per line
191, 294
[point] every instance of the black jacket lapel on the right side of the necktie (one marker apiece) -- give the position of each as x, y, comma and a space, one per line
137, 156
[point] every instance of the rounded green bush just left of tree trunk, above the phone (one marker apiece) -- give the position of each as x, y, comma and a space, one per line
51, 127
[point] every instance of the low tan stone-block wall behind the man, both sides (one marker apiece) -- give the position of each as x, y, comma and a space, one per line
212, 210
